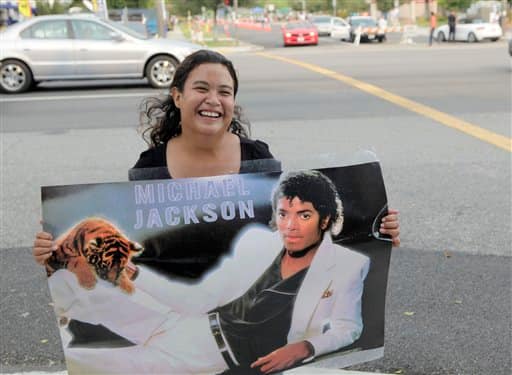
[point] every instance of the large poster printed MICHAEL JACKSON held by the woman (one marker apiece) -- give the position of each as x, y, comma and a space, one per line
230, 274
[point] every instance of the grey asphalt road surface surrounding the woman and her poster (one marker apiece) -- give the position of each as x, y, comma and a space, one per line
453, 190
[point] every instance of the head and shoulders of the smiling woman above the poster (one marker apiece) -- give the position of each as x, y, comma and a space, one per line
197, 129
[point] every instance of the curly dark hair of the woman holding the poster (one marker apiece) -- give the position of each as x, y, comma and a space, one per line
160, 118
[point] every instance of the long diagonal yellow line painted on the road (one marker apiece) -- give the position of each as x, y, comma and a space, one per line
441, 117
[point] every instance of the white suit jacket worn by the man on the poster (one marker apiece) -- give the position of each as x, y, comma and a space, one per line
327, 309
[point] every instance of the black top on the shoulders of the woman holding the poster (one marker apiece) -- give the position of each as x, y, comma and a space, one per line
152, 163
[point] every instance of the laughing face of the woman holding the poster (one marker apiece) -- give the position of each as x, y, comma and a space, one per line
207, 101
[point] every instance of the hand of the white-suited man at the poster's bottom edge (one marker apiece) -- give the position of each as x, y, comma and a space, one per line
284, 357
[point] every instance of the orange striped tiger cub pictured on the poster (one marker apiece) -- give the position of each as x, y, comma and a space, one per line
96, 248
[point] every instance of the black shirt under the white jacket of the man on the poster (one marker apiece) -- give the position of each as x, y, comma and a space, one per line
258, 322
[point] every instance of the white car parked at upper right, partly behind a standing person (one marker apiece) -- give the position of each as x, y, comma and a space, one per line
470, 30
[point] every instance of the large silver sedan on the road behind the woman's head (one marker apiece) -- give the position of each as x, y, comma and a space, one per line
70, 47
